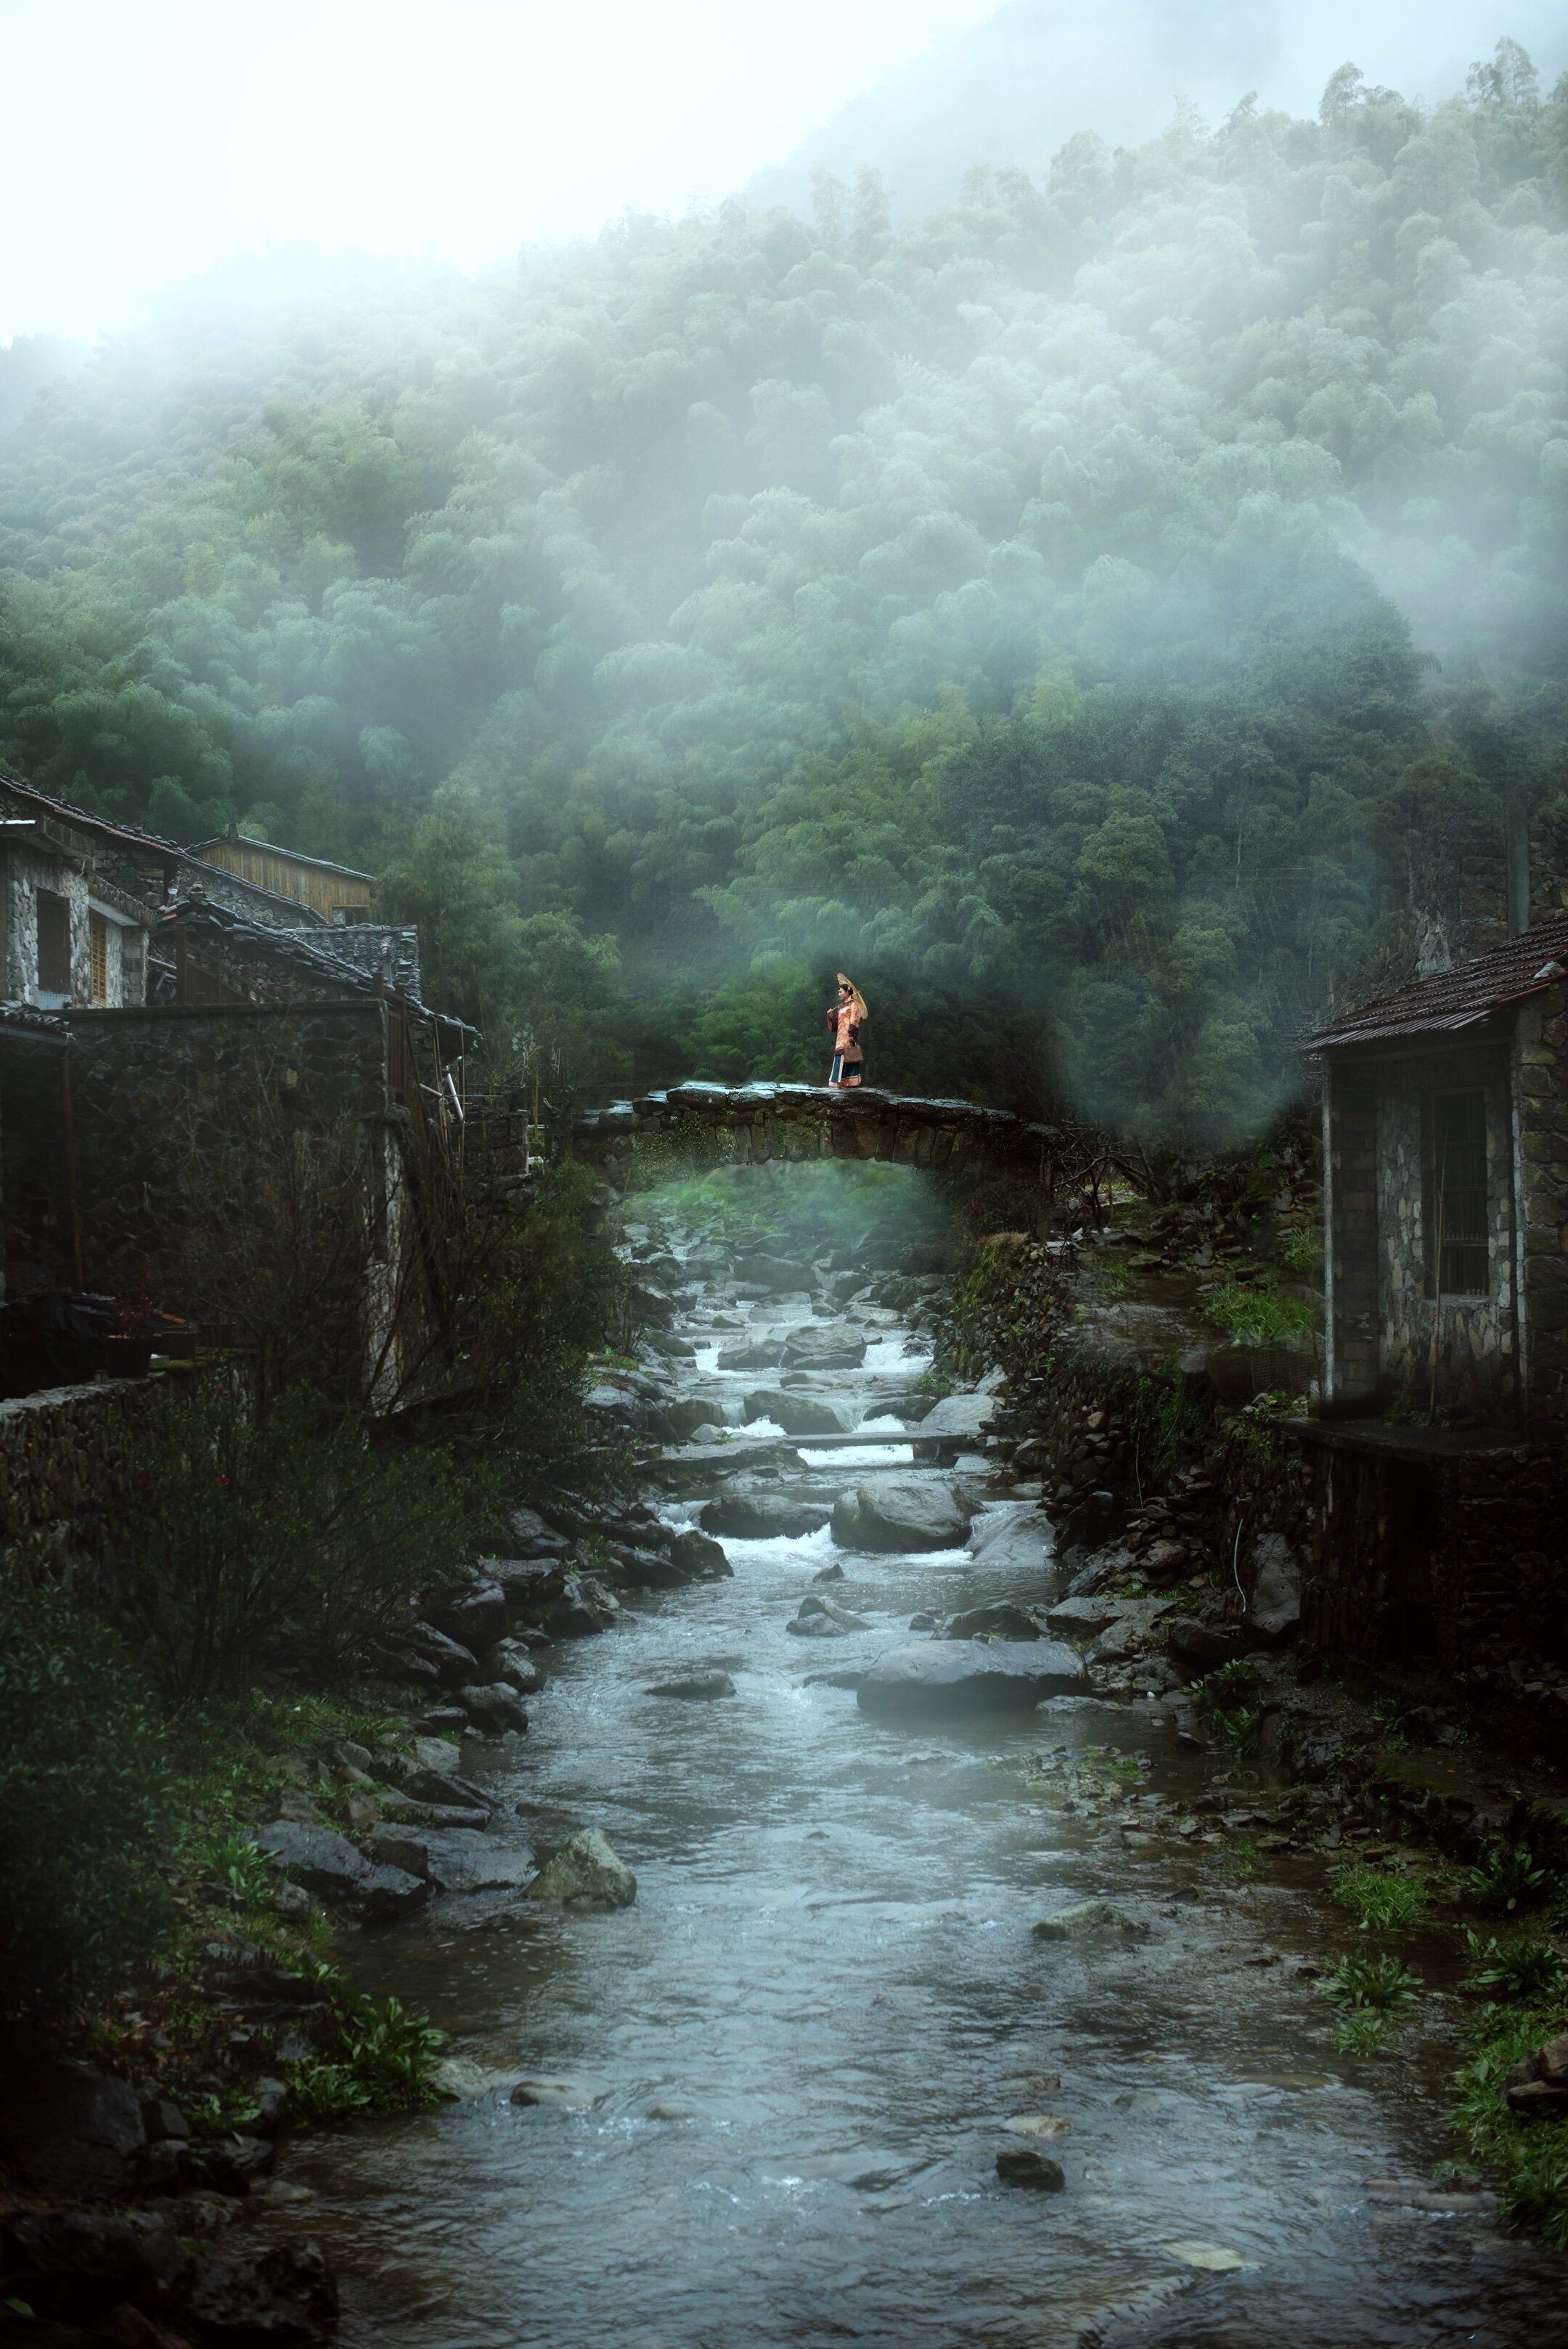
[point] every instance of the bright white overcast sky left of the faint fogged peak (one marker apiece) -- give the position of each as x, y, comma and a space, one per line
147, 142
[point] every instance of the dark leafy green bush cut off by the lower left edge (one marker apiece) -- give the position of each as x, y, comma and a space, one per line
86, 1803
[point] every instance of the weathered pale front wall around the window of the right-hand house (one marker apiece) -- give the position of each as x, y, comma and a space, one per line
1475, 1335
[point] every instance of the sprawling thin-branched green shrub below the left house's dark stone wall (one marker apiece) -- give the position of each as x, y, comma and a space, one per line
281, 1537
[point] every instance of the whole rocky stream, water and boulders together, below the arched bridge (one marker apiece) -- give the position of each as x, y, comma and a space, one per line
904, 1972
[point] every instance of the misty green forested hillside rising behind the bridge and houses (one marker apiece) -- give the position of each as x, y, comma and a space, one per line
1106, 614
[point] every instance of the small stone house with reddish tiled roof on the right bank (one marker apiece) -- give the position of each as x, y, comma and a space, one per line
1440, 1441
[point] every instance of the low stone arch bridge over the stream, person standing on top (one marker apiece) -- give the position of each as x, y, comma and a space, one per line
812, 1122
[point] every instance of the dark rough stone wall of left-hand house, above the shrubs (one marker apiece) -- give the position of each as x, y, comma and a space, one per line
161, 1093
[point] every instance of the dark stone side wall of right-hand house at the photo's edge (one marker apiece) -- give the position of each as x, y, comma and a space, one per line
1541, 1077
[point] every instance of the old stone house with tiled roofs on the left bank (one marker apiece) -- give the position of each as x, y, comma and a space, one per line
173, 1014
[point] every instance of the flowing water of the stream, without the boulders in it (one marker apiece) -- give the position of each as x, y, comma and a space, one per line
800, 2045
